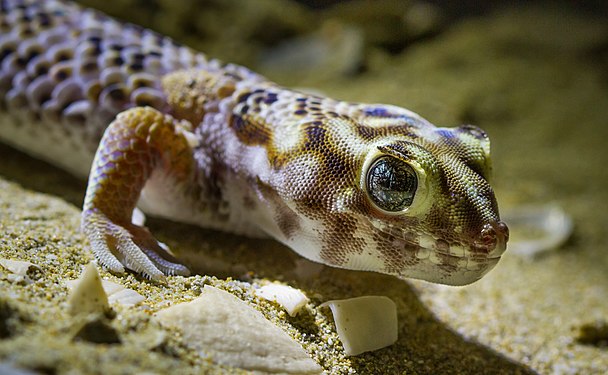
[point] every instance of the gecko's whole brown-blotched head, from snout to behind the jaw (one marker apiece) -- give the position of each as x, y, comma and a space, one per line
396, 195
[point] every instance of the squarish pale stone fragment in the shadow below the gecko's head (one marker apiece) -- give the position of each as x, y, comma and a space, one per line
365, 323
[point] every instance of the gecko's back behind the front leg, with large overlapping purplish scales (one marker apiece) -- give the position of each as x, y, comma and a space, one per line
66, 72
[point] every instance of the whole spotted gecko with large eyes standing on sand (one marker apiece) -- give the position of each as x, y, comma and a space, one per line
157, 126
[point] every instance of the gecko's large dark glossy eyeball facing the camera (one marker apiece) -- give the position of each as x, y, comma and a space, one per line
391, 184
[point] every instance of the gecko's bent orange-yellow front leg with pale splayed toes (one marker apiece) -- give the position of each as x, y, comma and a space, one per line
139, 141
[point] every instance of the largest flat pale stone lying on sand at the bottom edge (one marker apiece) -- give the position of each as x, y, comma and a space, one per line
230, 332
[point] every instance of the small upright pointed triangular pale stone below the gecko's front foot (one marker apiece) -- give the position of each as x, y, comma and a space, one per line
88, 295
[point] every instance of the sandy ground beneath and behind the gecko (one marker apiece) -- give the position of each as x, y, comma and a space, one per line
534, 78
